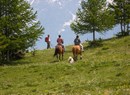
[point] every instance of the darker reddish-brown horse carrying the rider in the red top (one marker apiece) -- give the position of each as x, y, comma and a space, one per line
59, 52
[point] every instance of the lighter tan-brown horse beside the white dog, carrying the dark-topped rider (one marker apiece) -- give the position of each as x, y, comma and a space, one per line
76, 51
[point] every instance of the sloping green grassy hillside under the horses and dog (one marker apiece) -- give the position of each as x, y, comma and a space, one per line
103, 70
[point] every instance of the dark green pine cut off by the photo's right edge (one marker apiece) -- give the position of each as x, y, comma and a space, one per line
121, 9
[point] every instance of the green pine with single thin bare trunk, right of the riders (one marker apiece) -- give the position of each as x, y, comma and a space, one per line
93, 16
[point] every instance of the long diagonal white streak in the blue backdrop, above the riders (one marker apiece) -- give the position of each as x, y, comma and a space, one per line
67, 23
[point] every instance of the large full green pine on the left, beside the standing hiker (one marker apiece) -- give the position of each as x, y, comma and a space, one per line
19, 26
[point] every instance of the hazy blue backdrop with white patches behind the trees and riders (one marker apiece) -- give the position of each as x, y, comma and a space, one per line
55, 16
